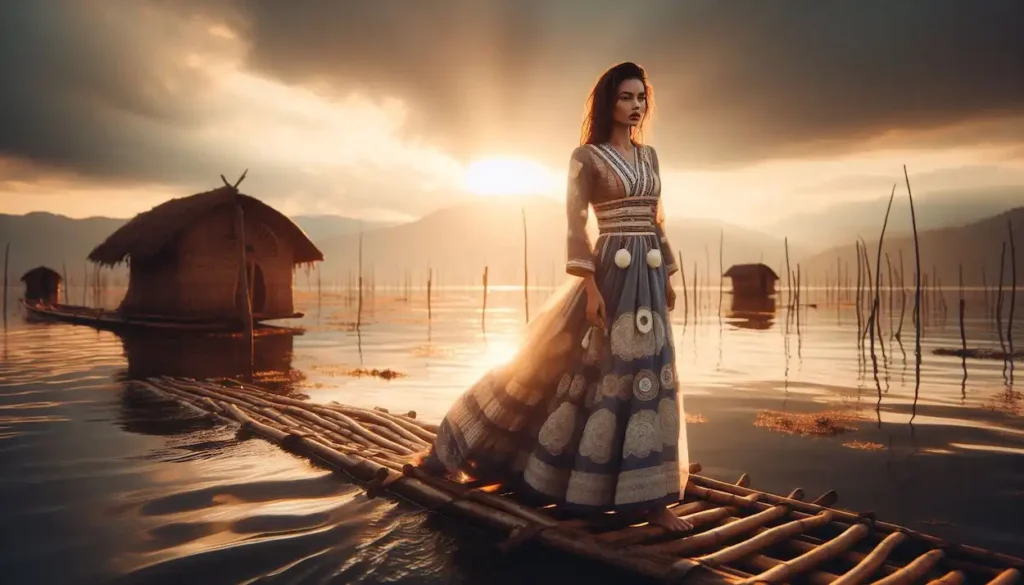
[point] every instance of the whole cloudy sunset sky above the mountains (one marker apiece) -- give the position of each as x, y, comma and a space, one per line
393, 109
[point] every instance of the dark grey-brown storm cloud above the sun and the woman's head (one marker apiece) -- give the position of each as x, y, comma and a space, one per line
736, 80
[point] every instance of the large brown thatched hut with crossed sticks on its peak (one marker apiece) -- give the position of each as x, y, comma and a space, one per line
185, 260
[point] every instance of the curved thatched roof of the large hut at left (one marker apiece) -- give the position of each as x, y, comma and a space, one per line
149, 233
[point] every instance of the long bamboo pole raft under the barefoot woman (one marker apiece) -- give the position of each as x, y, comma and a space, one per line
741, 535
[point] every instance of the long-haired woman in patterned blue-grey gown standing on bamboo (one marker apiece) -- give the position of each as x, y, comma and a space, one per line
588, 414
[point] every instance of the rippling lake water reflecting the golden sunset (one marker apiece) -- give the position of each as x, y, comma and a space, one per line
105, 485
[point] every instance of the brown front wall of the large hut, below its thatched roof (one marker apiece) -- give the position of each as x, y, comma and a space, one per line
208, 267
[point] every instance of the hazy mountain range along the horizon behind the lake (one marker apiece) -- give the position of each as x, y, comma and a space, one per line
456, 243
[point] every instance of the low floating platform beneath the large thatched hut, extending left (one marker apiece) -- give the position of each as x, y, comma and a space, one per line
114, 321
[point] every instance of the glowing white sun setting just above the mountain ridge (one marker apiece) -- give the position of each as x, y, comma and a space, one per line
509, 177
